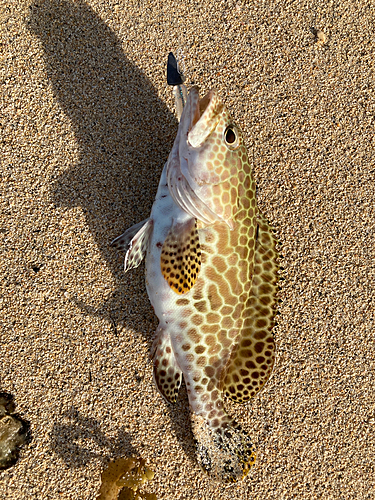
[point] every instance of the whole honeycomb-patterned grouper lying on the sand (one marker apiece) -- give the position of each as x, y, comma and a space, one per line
211, 263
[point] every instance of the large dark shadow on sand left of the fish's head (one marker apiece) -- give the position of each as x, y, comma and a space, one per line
124, 132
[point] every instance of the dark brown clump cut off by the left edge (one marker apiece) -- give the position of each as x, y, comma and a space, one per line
14, 432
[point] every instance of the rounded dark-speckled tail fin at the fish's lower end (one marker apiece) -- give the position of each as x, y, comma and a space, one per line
225, 453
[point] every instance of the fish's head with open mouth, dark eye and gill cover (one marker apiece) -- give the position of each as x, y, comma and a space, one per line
208, 162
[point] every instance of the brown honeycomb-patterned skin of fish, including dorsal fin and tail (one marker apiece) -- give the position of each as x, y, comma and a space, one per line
227, 317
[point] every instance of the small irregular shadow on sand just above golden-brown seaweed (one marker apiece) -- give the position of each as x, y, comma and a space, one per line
78, 440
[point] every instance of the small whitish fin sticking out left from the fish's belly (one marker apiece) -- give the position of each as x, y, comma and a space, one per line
134, 241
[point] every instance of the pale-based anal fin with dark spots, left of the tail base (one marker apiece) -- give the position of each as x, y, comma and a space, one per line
167, 375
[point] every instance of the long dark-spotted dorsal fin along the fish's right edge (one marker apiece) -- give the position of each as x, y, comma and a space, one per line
253, 357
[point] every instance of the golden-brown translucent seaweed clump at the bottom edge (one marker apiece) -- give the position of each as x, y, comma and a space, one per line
122, 478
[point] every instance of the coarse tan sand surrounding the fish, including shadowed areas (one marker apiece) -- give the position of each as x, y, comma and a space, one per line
87, 124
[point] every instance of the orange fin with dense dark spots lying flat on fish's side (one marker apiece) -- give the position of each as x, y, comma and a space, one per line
180, 259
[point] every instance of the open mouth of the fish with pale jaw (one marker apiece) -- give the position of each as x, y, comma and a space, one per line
204, 116
